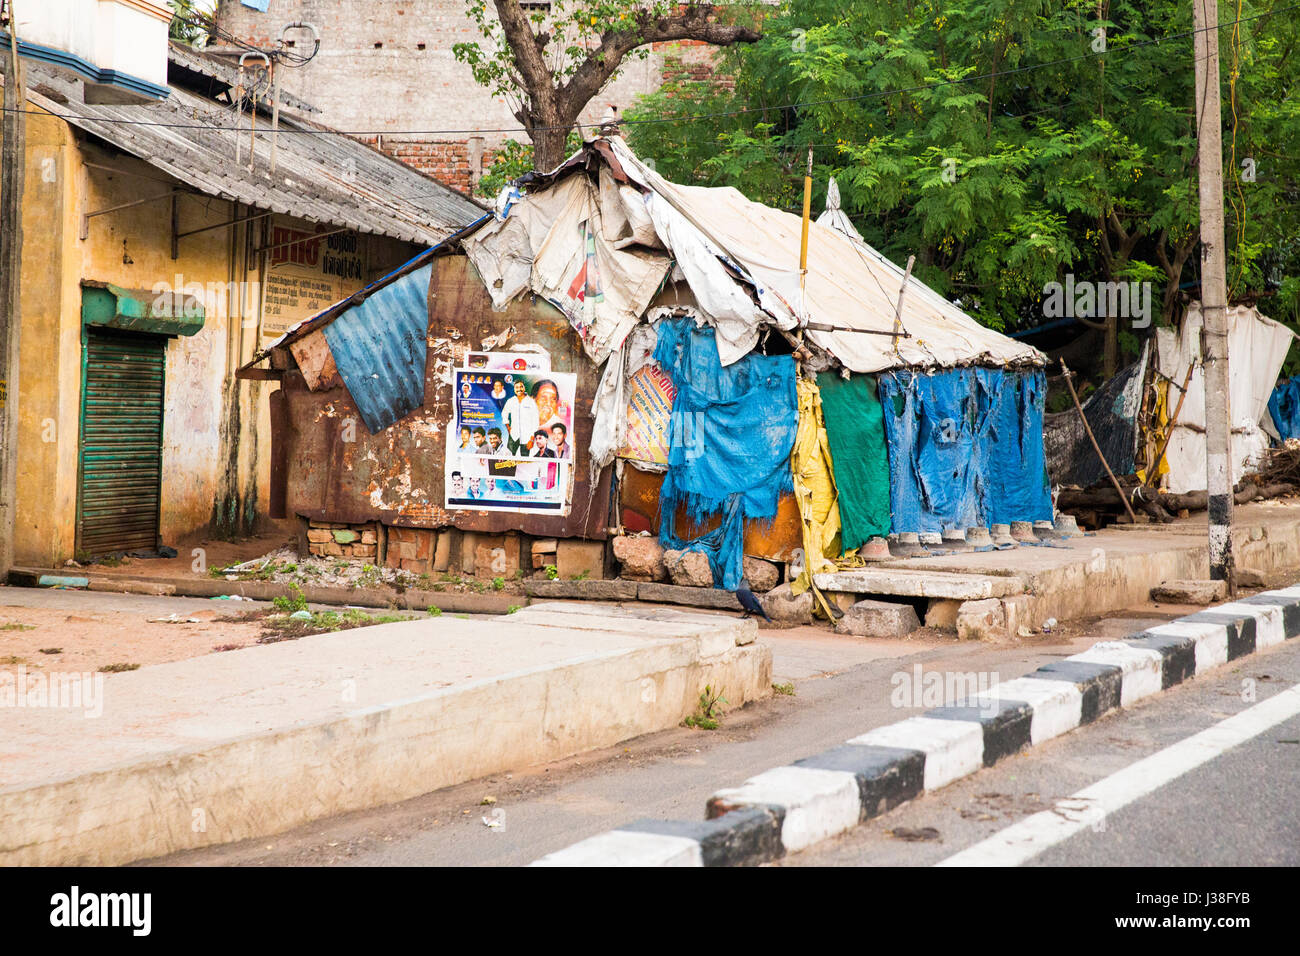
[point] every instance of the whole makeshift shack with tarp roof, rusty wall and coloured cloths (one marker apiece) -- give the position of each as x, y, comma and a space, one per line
613, 353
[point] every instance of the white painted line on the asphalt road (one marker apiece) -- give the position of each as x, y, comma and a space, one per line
1087, 808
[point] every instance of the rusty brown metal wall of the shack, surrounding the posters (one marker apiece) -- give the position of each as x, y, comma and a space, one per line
337, 471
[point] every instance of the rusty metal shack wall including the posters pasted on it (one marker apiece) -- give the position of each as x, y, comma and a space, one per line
414, 473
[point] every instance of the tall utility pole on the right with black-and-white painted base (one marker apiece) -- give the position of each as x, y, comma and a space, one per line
1210, 166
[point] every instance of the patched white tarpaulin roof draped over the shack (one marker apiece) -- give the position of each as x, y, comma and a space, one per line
600, 253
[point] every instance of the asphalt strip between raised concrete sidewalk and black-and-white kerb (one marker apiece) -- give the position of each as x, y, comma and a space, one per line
844, 689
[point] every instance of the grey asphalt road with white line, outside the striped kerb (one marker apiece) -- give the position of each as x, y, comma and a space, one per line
1240, 807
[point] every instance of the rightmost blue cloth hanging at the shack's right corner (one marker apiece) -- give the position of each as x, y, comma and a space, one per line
1012, 469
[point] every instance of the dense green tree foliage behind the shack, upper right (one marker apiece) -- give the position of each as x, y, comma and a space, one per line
993, 140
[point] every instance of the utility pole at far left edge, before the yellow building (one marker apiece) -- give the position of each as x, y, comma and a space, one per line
14, 157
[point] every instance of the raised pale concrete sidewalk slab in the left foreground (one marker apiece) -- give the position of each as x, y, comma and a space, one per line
254, 742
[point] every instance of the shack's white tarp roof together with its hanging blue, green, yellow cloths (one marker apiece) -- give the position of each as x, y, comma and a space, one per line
881, 404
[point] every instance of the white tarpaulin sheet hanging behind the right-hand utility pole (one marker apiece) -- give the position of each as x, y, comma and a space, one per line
1256, 349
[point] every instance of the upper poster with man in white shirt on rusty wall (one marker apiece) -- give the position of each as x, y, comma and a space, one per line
515, 416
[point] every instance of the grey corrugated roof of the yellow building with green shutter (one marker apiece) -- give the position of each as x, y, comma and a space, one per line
322, 176
